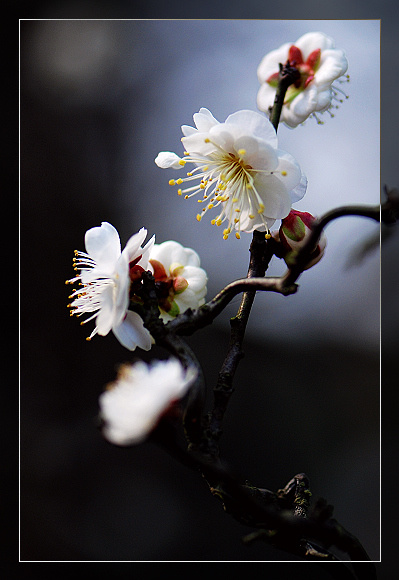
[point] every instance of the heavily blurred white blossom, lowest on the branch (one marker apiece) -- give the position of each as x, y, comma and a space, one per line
132, 406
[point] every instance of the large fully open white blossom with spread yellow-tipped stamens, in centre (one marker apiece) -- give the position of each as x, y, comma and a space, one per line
239, 171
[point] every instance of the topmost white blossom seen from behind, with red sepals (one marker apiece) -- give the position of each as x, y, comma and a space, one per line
319, 63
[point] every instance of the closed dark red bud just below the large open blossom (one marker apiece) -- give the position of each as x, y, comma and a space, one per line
294, 231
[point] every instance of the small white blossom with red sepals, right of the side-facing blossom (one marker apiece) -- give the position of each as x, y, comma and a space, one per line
181, 282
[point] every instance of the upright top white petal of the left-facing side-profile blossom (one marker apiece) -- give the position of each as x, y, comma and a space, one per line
103, 245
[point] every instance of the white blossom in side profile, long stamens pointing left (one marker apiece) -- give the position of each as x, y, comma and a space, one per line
104, 280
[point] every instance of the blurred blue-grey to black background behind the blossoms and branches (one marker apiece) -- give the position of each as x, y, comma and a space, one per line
99, 99
